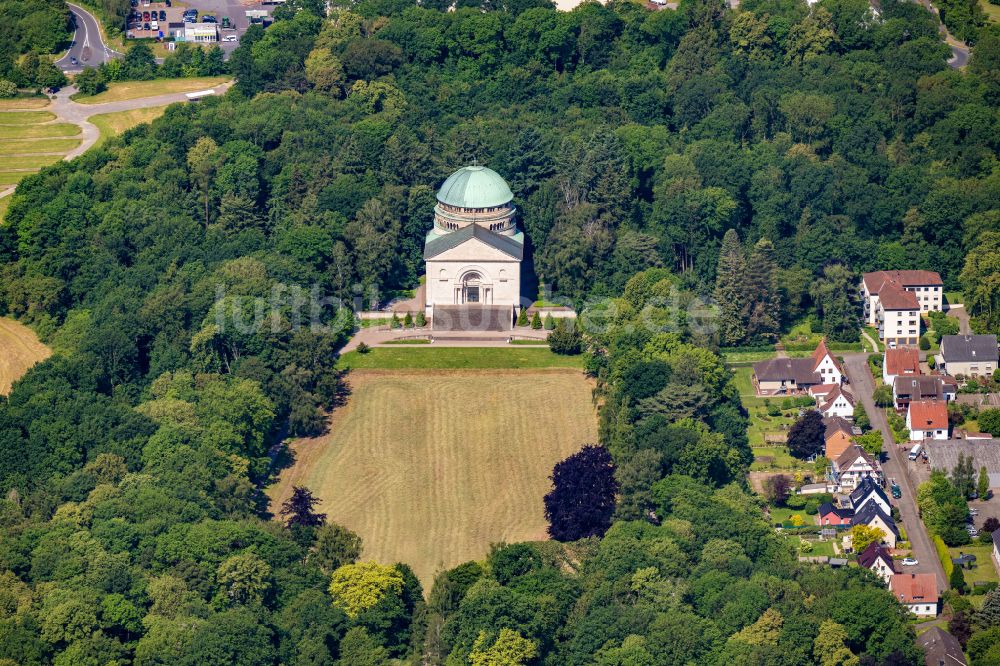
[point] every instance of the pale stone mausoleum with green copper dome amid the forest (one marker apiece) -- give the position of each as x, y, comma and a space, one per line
473, 253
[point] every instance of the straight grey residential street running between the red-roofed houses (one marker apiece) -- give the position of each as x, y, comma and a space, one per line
862, 385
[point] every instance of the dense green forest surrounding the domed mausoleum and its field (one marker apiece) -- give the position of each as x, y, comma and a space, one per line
650, 153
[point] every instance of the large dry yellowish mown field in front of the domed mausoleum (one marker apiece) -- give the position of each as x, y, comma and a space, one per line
431, 467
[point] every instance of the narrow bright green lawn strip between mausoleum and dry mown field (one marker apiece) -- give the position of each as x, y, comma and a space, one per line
459, 358
